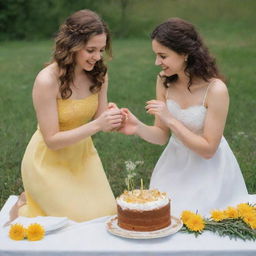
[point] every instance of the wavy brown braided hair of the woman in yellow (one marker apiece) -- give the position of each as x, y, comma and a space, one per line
72, 36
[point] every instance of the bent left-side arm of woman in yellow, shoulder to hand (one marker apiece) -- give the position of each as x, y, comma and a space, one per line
45, 92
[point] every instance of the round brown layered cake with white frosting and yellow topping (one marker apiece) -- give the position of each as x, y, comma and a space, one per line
143, 210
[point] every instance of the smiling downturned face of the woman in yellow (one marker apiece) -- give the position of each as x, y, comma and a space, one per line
91, 52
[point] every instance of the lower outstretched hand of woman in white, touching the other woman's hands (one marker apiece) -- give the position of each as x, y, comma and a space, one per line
130, 124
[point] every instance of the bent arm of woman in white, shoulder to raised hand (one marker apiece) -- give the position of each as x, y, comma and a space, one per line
217, 109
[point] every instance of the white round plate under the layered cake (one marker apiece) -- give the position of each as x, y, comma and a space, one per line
113, 228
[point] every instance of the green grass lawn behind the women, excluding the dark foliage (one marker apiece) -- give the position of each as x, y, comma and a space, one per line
231, 38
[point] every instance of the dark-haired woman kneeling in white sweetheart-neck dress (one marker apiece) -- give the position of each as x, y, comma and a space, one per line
197, 168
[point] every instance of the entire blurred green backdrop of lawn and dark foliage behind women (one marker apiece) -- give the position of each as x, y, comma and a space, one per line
27, 30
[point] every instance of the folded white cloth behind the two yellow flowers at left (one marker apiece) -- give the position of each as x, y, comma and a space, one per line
49, 223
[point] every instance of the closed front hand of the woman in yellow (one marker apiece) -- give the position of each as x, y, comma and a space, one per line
110, 119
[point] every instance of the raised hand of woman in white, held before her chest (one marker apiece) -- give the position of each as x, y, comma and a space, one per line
159, 108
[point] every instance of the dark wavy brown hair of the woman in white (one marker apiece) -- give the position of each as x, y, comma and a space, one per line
181, 37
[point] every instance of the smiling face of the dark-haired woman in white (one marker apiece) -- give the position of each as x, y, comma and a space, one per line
171, 62
